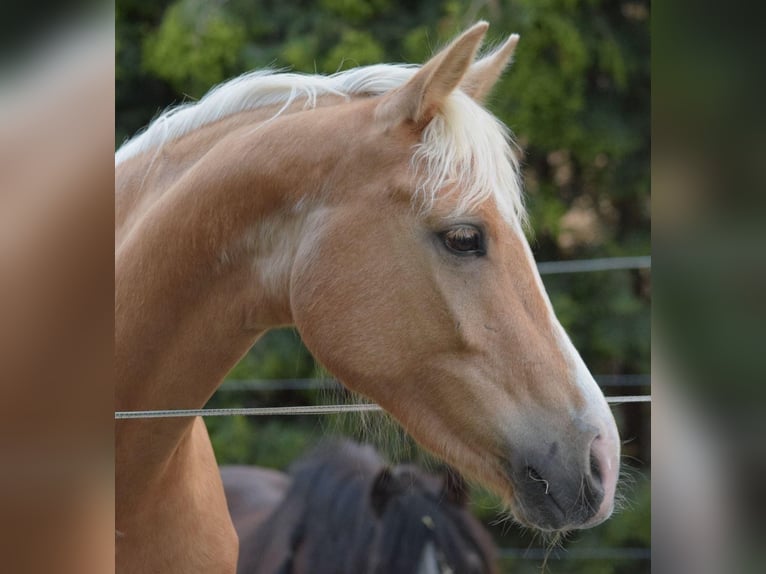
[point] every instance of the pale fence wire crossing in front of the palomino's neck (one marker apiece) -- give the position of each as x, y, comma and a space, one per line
297, 410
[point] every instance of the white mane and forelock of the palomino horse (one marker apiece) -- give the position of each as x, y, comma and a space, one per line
464, 146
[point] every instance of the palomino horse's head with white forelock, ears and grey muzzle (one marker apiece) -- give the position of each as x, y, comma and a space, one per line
417, 288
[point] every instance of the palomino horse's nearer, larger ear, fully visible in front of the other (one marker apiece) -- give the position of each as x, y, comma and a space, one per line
421, 97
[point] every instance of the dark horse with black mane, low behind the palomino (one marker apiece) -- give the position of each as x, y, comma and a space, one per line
345, 512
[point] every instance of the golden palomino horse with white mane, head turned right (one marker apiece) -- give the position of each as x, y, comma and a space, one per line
379, 211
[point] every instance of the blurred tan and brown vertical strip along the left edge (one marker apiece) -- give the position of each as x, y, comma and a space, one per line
56, 298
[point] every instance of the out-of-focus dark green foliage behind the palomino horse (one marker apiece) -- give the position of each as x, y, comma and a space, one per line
576, 98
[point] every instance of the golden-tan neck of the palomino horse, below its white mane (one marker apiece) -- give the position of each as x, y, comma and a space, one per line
202, 264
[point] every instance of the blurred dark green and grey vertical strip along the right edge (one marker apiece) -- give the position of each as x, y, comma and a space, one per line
709, 241
